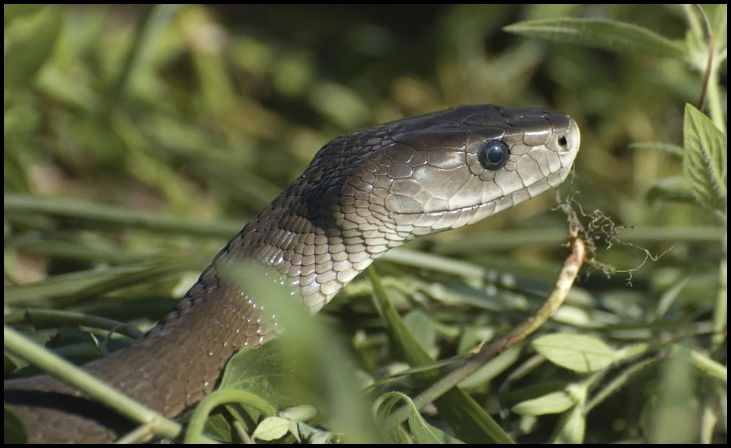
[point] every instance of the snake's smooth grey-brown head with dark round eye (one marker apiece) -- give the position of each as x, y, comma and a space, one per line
455, 167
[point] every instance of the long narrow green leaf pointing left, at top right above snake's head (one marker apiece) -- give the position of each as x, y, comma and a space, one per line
601, 33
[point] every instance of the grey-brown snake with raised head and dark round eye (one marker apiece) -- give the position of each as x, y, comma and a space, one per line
362, 194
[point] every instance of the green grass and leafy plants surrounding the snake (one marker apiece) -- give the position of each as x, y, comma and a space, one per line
138, 140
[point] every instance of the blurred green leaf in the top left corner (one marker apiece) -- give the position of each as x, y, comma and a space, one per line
29, 42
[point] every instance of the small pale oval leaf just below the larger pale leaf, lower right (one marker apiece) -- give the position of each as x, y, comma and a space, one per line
576, 352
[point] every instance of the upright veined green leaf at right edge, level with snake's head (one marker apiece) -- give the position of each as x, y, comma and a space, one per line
705, 158
